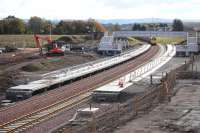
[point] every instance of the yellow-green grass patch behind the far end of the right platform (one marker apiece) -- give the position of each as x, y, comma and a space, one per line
169, 40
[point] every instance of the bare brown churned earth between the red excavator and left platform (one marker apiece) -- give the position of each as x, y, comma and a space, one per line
27, 63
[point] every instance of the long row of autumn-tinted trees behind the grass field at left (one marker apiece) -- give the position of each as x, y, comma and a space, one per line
37, 25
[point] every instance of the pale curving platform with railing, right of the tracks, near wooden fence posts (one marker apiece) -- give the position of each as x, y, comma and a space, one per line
135, 82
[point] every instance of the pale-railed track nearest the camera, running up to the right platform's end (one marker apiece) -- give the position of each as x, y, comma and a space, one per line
34, 118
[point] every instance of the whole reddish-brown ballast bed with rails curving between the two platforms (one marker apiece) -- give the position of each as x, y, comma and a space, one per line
64, 98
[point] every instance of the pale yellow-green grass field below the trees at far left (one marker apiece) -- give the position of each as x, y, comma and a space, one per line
21, 40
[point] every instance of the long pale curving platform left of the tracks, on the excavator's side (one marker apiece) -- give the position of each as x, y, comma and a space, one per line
64, 76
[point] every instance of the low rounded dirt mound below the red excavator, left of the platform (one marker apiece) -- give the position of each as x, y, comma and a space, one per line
33, 67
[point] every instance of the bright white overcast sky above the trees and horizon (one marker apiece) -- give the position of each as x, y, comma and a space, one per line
101, 9
